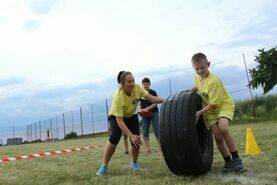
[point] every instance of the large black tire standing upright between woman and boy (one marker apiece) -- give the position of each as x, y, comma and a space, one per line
187, 148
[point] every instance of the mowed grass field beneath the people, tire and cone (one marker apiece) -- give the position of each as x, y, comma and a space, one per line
80, 167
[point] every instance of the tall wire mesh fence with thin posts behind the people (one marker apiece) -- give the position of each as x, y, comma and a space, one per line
92, 118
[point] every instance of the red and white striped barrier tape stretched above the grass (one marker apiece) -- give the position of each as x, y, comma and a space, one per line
43, 154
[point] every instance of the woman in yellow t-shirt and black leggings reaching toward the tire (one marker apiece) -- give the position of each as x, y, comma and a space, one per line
123, 118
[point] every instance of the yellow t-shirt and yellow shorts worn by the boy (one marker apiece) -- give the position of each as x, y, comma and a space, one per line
213, 92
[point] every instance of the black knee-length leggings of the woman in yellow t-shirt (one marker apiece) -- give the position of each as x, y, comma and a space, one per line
132, 124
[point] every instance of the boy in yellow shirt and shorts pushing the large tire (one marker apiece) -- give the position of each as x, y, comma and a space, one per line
217, 111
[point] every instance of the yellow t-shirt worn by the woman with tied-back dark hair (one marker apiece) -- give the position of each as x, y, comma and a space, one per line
125, 106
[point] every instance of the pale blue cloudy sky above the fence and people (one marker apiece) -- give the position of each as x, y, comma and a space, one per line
56, 55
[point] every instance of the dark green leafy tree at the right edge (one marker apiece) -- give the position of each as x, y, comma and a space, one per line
265, 73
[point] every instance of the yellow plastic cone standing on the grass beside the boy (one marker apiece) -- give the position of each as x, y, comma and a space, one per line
251, 147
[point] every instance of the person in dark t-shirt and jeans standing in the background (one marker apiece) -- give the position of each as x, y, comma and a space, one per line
147, 106
